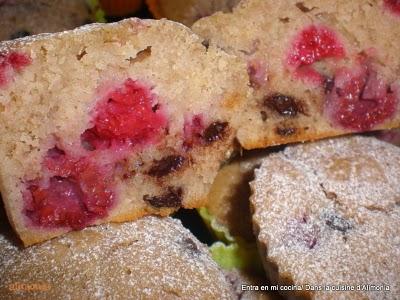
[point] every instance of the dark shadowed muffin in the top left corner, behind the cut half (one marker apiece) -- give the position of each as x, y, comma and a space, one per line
28, 17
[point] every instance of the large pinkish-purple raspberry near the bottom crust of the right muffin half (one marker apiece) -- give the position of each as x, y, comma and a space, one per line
359, 99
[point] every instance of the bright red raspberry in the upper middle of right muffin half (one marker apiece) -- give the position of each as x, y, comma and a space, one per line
313, 44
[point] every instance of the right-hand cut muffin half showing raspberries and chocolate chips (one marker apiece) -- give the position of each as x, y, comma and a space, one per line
318, 68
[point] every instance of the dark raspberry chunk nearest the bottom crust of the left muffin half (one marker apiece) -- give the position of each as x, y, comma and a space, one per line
75, 192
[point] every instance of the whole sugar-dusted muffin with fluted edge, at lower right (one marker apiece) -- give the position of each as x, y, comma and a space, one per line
327, 217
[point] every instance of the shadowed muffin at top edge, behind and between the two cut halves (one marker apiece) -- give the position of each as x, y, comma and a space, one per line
188, 11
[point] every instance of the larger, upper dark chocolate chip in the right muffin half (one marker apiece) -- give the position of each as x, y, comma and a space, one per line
285, 105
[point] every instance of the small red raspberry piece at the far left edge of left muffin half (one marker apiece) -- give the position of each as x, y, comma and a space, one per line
11, 63
